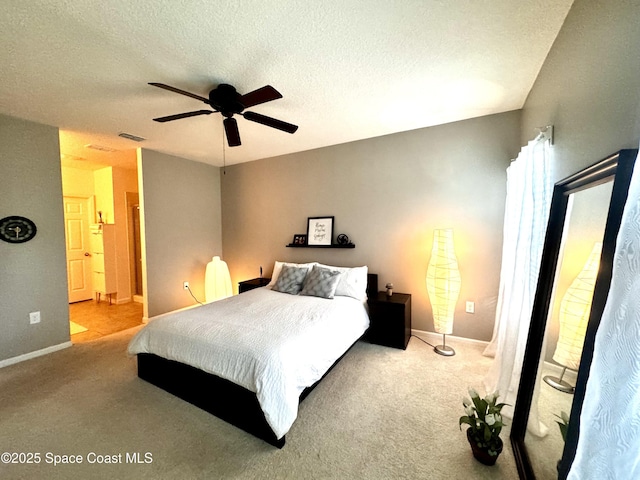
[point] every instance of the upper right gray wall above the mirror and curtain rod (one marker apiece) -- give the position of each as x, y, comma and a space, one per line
589, 86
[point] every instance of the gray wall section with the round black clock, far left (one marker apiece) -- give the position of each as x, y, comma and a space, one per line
33, 275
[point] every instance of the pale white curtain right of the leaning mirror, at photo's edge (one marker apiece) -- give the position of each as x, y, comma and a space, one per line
609, 444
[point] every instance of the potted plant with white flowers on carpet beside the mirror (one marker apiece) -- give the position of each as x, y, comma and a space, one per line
485, 423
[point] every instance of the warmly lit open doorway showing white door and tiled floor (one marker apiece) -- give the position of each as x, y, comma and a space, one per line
96, 182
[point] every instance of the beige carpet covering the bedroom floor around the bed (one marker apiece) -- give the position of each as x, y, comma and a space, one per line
381, 414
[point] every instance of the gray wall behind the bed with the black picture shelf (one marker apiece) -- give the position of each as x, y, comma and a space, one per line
388, 194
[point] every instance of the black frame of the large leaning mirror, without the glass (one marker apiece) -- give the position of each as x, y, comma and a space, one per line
619, 168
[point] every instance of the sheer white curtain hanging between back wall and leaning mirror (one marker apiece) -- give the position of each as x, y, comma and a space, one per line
528, 200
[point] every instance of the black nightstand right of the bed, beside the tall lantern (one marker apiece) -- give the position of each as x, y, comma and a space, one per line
390, 319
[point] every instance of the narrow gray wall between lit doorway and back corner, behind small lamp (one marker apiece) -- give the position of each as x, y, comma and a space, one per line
180, 202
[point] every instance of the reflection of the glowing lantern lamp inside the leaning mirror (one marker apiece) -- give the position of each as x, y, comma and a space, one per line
575, 308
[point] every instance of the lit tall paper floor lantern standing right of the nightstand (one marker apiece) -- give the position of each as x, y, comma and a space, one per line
443, 286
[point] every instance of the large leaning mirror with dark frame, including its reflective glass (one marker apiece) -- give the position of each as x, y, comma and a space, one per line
575, 274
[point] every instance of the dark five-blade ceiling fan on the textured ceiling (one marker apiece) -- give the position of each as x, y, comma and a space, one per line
227, 101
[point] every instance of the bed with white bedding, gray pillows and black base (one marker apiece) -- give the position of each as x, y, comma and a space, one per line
251, 358
